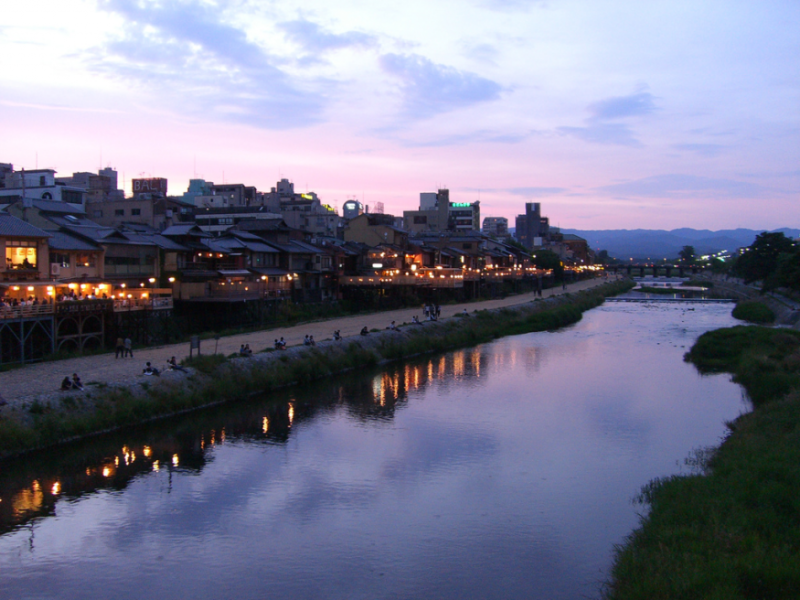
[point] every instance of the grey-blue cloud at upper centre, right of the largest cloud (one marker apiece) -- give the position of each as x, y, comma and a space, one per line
430, 89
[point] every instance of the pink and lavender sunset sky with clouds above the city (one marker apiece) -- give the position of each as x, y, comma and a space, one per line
613, 114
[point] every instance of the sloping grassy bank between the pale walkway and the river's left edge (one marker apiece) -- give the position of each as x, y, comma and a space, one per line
214, 379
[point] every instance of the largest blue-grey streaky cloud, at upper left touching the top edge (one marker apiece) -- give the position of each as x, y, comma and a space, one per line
196, 63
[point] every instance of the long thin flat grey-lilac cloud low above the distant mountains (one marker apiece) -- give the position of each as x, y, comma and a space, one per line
677, 185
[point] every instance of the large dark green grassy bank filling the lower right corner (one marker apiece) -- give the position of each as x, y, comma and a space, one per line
733, 530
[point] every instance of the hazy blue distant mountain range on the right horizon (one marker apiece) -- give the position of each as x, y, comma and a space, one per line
655, 243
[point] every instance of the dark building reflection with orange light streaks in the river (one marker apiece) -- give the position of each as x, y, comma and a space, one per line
31, 488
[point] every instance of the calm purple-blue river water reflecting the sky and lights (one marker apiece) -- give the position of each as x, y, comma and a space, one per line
503, 471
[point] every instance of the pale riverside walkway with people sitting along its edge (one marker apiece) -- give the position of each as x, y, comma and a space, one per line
31, 381
